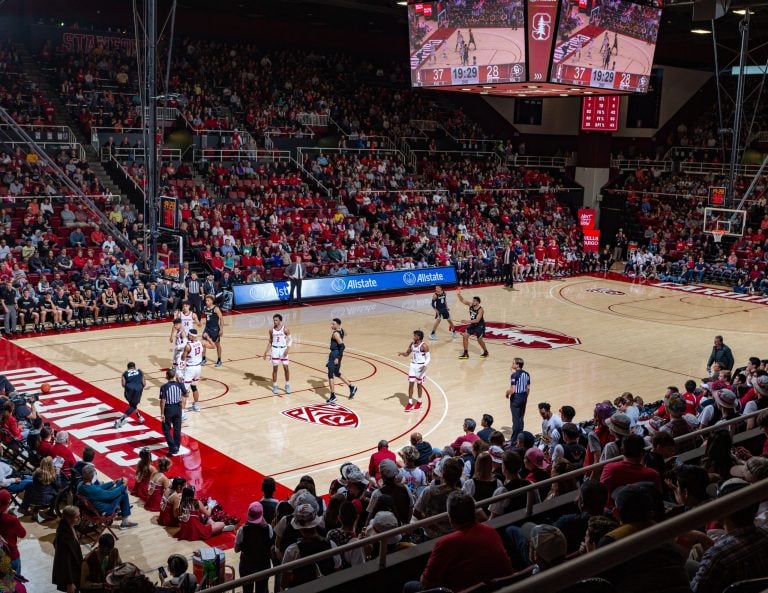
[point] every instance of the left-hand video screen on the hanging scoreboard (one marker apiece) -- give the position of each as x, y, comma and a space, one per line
466, 42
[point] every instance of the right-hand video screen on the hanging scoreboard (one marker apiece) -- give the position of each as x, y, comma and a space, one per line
607, 44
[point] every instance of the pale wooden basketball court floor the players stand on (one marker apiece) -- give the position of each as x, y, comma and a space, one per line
583, 339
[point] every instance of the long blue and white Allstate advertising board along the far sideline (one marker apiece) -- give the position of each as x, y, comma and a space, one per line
318, 288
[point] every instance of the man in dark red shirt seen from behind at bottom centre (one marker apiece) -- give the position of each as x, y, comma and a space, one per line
471, 554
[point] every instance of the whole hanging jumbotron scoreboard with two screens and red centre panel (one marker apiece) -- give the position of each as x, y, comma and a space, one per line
534, 47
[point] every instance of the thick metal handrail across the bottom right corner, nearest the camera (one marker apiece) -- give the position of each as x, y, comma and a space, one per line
596, 562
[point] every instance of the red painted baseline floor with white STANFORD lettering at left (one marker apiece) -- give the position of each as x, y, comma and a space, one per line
88, 414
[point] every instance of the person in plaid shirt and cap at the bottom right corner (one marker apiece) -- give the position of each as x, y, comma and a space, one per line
741, 554
